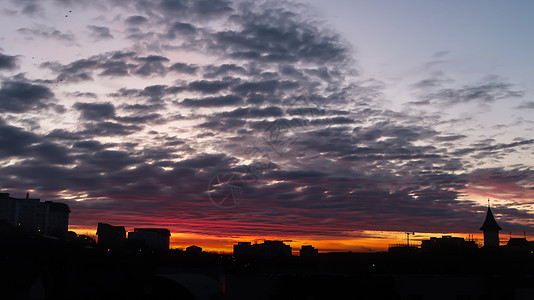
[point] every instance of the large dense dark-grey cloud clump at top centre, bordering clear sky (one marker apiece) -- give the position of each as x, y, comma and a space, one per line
274, 35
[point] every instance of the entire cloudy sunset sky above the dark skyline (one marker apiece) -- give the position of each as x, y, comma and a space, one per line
341, 124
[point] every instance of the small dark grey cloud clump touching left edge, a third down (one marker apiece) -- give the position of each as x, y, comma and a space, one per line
20, 96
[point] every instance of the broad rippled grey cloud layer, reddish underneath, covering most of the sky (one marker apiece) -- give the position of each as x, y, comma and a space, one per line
258, 90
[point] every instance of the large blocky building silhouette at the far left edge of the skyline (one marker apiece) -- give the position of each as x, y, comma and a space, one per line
45, 218
